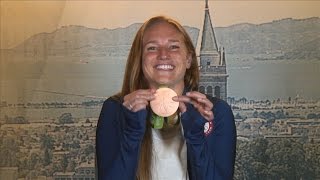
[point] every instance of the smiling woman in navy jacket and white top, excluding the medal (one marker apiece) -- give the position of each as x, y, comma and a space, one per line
127, 146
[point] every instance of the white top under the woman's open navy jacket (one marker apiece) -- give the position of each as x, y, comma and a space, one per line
169, 155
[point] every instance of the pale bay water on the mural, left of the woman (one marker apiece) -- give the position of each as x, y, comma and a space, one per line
63, 80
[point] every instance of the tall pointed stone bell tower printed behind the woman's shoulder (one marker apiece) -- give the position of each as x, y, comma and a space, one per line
213, 74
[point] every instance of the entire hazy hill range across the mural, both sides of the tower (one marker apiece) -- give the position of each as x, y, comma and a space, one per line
286, 38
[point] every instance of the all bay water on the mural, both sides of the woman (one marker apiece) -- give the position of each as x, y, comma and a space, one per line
69, 80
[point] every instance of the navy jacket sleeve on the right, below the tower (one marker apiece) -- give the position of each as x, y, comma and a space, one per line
210, 156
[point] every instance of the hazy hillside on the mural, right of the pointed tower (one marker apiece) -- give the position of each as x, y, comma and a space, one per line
290, 38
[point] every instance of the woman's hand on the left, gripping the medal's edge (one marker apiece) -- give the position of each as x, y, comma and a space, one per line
138, 99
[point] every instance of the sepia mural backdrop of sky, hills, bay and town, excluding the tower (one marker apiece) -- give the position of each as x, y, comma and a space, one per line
61, 59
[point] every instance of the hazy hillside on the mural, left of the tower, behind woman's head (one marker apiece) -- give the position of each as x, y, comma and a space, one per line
84, 42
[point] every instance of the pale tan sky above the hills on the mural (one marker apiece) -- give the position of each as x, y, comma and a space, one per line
20, 19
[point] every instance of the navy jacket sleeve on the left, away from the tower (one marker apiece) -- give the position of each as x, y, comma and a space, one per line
118, 138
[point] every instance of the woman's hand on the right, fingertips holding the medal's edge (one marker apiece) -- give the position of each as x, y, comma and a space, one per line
199, 101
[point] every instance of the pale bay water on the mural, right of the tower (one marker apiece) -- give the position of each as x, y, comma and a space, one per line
274, 79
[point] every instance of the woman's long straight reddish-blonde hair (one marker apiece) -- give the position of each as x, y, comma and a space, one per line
134, 79
